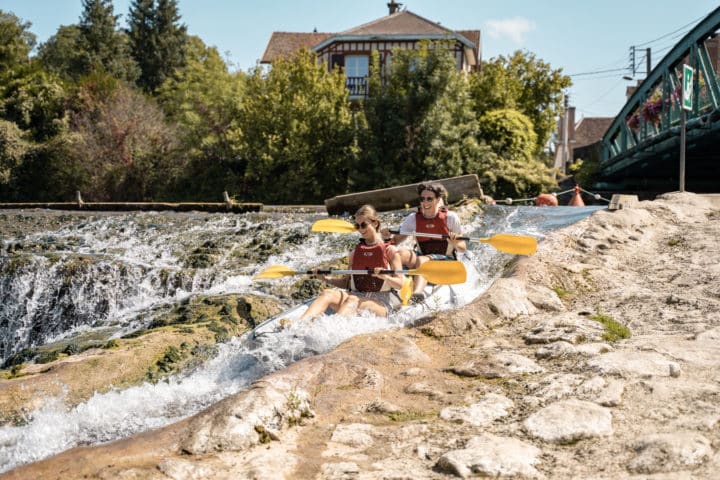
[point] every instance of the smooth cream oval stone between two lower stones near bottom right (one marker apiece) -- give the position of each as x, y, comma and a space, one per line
567, 421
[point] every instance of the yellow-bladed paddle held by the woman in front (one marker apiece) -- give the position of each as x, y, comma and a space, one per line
440, 272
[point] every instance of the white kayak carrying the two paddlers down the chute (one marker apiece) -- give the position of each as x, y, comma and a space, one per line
437, 297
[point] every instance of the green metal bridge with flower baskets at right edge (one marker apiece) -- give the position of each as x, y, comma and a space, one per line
641, 148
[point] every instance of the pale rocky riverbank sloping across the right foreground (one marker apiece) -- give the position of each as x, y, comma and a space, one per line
598, 357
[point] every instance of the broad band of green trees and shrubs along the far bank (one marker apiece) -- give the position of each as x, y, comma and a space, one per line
149, 112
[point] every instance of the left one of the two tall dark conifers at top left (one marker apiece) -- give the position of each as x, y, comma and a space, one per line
101, 46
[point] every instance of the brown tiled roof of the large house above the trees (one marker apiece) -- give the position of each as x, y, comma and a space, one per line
398, 25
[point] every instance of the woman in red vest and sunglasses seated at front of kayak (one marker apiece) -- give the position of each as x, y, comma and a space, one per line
376, 293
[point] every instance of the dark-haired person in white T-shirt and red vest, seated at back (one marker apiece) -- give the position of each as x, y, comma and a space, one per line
432, 217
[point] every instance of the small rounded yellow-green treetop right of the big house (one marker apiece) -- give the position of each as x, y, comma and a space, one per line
509, 133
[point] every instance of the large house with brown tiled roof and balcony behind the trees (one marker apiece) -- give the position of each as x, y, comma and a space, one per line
351, 49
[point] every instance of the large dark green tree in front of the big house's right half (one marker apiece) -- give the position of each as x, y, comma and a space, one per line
420, 123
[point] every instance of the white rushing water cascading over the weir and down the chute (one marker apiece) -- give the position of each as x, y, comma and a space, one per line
116, 271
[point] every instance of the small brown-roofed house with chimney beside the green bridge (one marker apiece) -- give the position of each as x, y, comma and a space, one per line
582, 140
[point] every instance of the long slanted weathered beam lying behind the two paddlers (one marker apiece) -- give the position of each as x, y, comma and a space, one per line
404, 196
